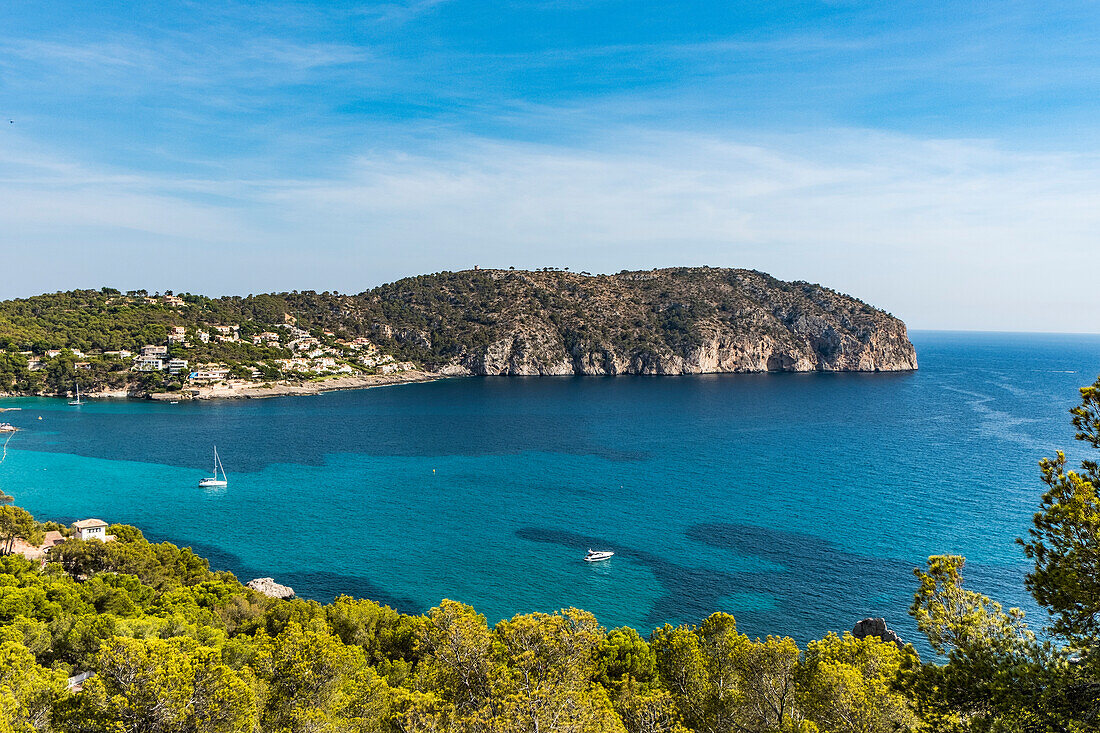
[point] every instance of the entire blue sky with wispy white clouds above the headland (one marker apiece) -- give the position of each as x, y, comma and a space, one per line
938, 160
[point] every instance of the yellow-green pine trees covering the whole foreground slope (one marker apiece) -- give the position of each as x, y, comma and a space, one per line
128, 636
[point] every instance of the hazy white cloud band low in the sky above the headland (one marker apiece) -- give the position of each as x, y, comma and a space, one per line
949, 234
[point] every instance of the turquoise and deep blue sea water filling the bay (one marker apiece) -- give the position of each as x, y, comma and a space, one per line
798, 502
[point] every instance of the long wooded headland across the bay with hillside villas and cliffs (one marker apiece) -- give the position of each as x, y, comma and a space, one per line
500, 322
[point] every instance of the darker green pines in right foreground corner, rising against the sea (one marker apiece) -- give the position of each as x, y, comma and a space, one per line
998, 676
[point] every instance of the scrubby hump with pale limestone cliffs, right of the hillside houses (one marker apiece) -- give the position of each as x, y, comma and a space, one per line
668, 322
